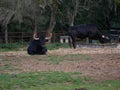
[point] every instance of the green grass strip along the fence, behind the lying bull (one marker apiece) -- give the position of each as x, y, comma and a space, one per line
23, 46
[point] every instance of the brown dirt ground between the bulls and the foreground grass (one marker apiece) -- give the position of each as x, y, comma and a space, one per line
100, 64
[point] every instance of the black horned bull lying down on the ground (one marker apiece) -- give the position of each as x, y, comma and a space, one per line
37, 46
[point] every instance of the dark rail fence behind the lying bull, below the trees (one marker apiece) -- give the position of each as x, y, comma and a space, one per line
27, 36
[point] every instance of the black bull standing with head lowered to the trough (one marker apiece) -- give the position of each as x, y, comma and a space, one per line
86, 31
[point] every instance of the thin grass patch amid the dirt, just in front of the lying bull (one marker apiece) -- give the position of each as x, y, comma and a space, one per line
71, 57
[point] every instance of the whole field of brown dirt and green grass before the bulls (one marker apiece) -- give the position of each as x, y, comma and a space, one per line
61, 69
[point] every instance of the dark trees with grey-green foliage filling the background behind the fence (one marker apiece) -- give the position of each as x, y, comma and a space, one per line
49, 15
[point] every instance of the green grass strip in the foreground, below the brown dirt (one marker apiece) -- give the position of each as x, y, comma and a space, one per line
53, 81
